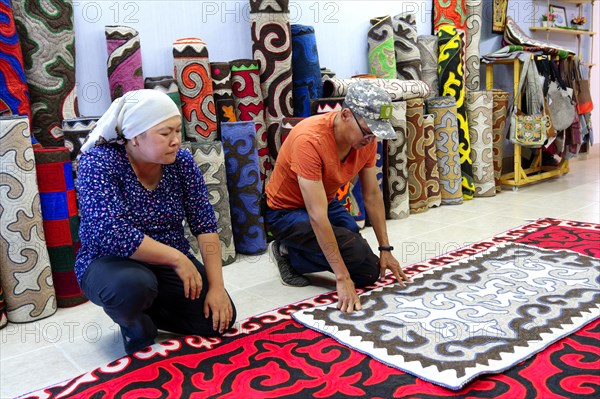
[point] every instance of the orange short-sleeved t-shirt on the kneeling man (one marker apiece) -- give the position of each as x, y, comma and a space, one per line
310, 151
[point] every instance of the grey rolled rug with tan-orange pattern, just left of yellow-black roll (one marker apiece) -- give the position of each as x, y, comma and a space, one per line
446, 144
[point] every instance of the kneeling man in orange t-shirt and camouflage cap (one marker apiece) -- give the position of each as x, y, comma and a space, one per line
313, 232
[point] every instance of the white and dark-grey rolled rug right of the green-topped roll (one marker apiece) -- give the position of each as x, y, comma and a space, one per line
408, 58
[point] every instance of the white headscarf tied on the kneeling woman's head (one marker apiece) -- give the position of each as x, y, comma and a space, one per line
130, 115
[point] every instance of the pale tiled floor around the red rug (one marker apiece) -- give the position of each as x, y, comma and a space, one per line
76, 340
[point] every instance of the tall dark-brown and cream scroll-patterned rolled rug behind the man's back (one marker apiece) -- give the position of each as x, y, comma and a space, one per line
272, 45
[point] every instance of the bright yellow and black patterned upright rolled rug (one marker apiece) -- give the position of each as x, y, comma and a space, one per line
451, 75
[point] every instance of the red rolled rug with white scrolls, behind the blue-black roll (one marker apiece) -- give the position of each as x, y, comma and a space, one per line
249, 106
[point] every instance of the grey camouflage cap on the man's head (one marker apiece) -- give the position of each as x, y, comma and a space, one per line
374, 104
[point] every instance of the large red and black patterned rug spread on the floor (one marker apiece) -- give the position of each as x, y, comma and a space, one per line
272, 356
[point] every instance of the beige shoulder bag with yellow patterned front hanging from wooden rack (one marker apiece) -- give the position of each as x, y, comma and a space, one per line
528, 129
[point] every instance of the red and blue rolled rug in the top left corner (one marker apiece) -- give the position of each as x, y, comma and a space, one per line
14, 94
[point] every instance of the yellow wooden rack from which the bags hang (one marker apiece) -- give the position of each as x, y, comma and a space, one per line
535, 172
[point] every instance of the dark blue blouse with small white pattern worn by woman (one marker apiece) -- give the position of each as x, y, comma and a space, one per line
117, 210
